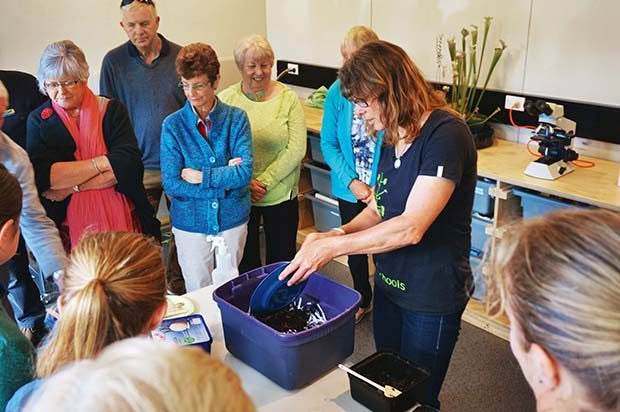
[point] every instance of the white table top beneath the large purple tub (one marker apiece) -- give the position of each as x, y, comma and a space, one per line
328, 393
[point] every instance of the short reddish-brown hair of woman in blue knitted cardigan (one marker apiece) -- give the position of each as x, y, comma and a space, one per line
197, 59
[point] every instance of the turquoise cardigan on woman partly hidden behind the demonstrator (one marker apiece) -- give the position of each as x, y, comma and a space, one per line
337, 146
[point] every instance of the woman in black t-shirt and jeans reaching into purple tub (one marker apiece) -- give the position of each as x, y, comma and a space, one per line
418, 226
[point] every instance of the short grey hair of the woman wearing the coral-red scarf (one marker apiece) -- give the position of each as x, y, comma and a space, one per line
62, 58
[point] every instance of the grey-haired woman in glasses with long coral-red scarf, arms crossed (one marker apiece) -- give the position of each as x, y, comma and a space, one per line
87, 164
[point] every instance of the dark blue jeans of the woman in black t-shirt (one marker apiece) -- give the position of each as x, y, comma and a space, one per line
426, 339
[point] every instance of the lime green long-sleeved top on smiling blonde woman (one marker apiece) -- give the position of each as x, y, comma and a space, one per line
278, 140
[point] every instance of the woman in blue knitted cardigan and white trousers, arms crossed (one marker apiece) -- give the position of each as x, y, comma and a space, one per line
206, 164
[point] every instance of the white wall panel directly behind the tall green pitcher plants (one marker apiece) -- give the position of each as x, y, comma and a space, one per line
416, 25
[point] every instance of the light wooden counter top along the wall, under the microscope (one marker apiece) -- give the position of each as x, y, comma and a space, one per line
506, 161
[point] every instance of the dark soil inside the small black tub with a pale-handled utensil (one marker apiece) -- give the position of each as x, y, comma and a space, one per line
389, 370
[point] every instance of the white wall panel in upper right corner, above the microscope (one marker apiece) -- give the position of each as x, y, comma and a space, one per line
574, 52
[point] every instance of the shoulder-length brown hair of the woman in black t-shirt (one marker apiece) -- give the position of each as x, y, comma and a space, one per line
382, 70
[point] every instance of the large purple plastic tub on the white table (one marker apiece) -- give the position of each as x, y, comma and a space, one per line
296, 359
